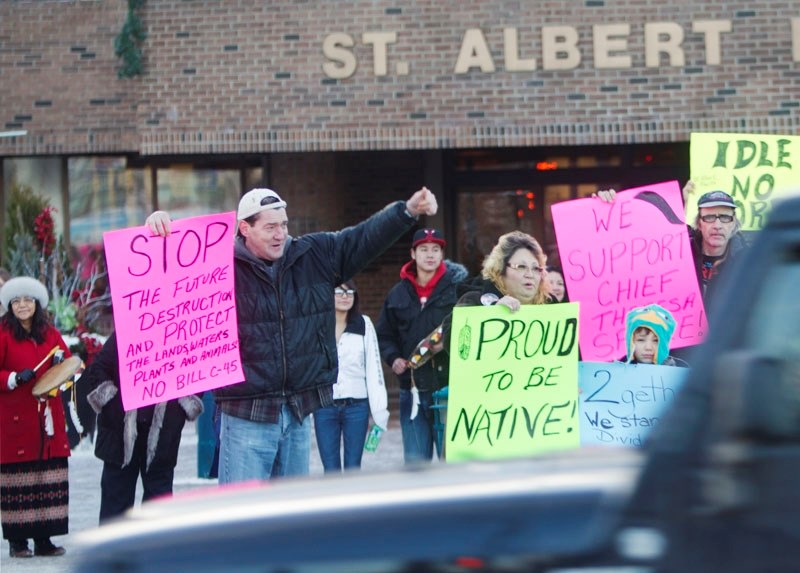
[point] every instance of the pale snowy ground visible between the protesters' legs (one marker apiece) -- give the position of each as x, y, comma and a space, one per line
84, 480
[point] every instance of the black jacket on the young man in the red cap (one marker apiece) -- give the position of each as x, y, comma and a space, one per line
404, 323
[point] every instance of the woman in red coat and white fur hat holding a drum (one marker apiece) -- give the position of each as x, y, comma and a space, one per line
34, 484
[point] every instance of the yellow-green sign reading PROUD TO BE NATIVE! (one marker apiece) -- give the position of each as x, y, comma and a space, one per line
513, 387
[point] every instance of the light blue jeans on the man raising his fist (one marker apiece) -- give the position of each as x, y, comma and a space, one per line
259, 450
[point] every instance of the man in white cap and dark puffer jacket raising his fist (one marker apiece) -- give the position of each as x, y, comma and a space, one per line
286, 323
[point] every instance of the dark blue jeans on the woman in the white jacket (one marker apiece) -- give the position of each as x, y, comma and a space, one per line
346, 422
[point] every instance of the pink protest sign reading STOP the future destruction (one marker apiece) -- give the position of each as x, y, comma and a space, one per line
174, 309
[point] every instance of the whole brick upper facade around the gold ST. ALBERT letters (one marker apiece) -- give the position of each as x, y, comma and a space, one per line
247, 76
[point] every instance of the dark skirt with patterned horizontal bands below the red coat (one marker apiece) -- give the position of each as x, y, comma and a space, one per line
34, 499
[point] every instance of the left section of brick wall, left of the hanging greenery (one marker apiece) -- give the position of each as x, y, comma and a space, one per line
58, 79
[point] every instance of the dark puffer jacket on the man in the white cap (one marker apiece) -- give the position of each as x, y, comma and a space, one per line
287, 323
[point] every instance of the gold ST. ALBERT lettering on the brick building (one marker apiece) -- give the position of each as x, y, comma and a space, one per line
560, 48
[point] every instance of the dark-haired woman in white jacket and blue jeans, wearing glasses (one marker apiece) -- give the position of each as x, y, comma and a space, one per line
359, 388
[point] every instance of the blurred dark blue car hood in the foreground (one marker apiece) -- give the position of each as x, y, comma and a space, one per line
548, 506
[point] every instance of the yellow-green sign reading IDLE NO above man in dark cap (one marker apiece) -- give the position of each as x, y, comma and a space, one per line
753, 169
